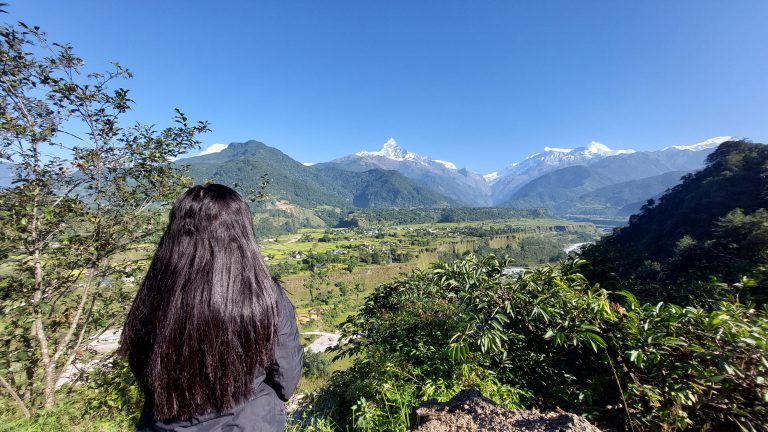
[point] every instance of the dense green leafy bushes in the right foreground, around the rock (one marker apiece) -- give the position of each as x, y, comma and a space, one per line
548, 339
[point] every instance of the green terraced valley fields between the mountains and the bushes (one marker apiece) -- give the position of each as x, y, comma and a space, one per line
344, 264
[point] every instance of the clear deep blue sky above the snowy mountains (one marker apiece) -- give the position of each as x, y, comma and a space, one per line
480, 83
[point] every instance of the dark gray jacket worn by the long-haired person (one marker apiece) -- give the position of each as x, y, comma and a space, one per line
265, 411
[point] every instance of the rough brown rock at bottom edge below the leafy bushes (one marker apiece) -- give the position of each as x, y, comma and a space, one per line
469, 410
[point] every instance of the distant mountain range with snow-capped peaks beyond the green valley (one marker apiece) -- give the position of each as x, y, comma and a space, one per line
592, 180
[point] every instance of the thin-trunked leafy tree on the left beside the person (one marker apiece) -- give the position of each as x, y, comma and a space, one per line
87, 200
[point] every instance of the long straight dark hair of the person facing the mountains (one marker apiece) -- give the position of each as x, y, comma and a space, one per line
204, 323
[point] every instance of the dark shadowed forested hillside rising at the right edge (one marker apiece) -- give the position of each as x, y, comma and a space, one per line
713, 224
